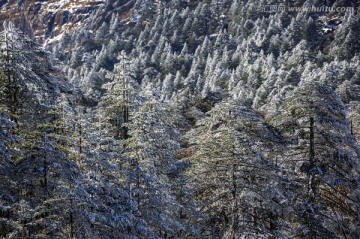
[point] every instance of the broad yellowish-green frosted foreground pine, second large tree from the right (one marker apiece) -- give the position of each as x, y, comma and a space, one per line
239, 187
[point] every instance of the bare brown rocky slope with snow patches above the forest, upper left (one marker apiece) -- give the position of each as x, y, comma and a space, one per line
46, 20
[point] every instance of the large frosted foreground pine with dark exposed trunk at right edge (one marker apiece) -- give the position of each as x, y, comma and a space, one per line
323, 155
